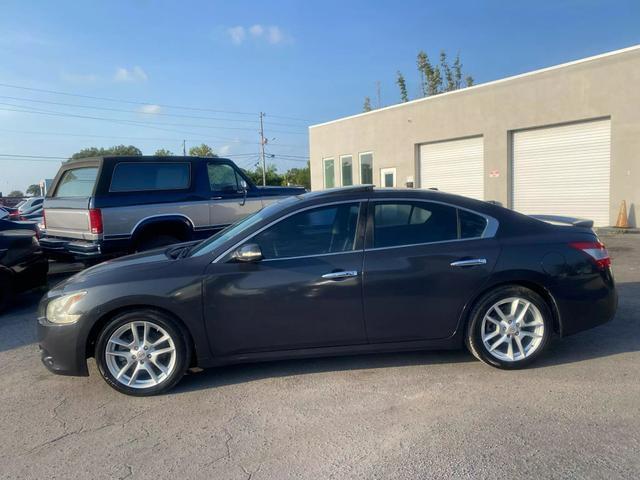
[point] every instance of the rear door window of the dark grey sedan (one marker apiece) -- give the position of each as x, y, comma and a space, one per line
406, 223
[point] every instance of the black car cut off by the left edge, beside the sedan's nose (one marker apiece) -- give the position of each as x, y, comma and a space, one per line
22, 264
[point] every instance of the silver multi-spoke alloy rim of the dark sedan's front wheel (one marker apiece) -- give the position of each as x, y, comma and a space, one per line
140, 354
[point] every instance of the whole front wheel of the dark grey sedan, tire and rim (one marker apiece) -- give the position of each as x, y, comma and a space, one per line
142, 353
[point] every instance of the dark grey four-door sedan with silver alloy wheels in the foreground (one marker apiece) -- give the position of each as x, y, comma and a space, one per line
343, 271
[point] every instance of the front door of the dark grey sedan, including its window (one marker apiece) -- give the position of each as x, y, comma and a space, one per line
305, 292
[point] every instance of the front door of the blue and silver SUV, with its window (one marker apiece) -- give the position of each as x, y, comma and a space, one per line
228, 202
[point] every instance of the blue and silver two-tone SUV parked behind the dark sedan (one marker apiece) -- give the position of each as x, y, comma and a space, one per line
111, 206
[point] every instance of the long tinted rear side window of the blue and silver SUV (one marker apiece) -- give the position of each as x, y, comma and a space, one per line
133, 177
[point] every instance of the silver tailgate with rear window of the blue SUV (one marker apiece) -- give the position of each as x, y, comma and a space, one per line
67, 206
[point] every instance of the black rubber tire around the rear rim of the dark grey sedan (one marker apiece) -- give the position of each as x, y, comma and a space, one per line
474, 340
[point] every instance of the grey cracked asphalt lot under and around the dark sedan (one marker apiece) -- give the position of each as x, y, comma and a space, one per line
575, 414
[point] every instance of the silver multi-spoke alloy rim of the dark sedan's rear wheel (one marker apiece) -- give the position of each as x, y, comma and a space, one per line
512, 329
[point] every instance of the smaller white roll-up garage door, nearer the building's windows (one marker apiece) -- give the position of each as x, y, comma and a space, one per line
455, 166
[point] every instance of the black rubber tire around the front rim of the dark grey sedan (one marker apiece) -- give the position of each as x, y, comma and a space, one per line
171, 327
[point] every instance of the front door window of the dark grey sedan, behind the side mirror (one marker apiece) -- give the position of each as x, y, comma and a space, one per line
322, 230
